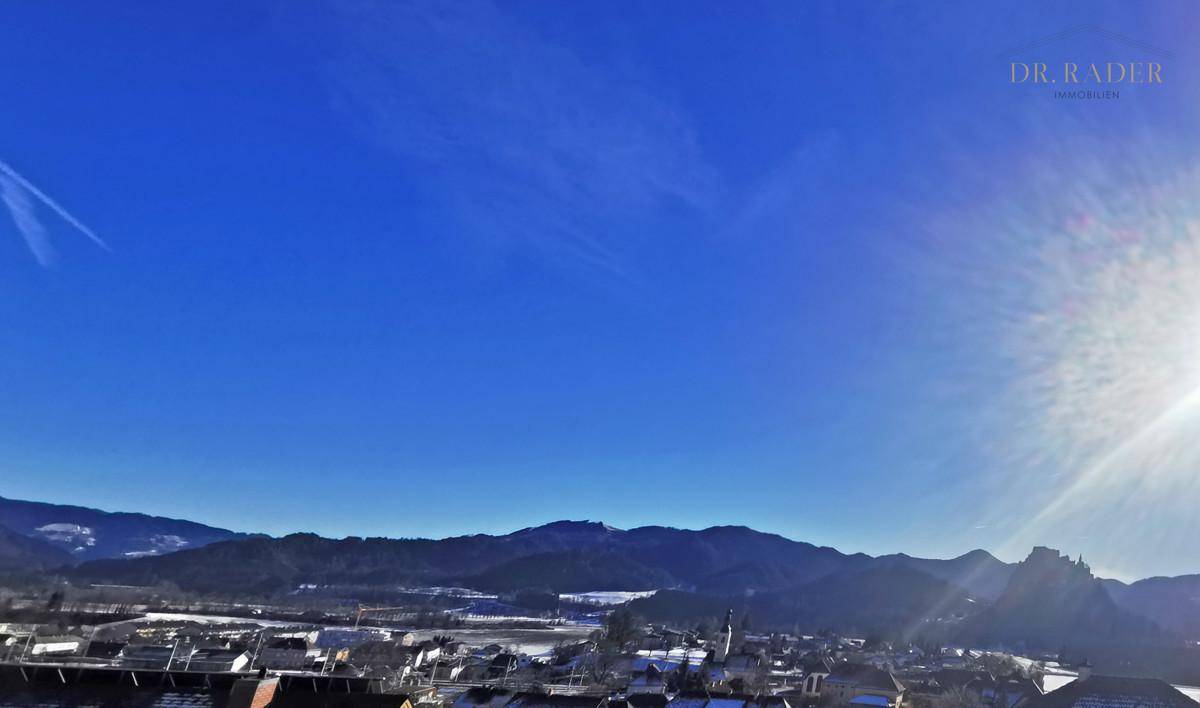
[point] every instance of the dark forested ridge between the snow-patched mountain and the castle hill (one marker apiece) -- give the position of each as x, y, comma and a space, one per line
561, 557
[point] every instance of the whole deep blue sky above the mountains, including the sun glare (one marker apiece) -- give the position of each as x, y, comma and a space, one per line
421, 269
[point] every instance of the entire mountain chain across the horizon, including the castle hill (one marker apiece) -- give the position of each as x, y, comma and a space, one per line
1047, 601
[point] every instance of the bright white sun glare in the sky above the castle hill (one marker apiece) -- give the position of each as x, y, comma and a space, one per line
1083, 296
